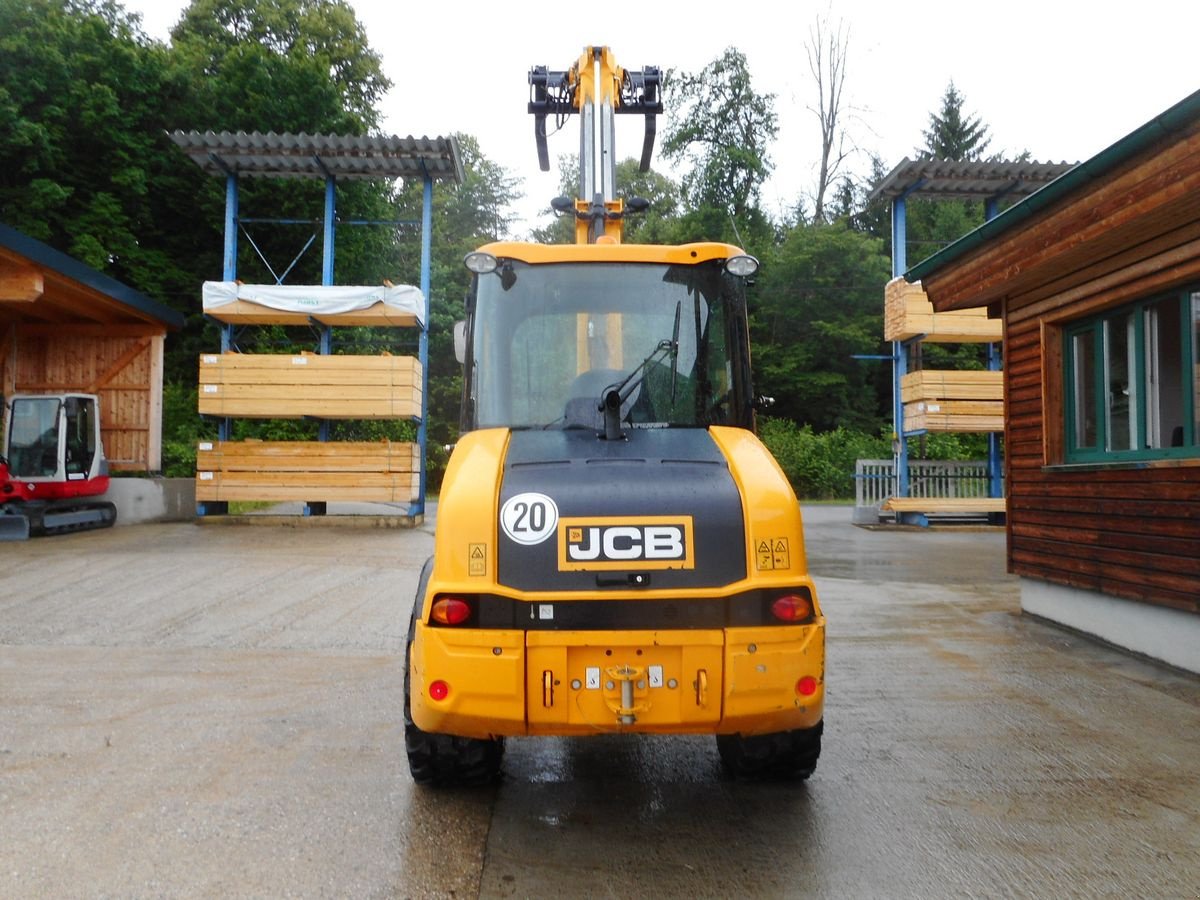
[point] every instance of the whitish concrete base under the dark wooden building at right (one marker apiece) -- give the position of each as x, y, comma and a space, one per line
1169, 635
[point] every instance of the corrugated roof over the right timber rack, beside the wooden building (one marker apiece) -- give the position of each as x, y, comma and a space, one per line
968, 181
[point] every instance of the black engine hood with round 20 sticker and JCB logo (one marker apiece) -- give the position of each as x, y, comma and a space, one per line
658, 509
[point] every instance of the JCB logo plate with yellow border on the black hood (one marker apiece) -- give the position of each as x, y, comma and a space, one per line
640, 542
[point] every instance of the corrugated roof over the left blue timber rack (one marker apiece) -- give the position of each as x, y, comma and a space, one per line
340, 157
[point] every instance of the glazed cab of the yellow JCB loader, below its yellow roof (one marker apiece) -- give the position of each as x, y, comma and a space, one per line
550, 345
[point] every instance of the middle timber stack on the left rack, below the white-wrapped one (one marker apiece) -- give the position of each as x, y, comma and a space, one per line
321, 387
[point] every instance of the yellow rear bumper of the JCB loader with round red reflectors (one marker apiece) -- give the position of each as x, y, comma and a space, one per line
722, 681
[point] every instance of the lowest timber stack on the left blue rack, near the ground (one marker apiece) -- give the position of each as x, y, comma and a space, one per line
310, 471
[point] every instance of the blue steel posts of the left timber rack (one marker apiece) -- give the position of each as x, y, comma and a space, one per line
230, 273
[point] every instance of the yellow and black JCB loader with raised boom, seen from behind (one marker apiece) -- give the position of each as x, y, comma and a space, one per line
616, 551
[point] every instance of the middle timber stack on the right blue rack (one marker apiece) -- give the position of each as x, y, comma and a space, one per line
953, 401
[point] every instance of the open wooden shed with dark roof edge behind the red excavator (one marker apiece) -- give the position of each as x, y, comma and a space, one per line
65, 327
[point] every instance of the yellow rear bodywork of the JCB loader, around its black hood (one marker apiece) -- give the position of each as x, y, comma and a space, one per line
551, 682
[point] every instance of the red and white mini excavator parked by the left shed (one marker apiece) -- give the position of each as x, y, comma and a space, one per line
52, 467
